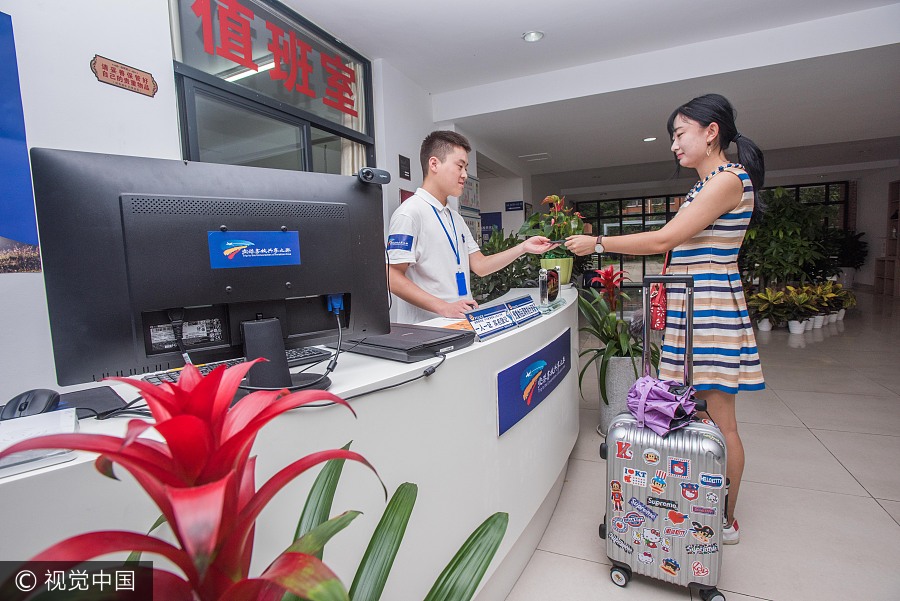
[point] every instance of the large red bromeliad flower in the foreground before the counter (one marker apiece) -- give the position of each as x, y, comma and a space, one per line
202, 479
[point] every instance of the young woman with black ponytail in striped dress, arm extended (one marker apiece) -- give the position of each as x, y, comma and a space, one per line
704, 238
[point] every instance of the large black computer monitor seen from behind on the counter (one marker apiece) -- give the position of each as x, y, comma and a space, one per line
129, 243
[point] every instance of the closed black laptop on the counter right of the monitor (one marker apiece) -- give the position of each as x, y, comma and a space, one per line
410, 343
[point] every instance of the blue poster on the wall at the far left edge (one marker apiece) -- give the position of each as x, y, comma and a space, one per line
19, 251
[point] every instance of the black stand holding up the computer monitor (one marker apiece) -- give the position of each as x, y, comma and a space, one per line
263, 338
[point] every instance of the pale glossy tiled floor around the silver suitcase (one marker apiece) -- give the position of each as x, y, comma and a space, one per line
820, 501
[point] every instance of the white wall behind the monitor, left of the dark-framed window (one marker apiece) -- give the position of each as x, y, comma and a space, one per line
66, 107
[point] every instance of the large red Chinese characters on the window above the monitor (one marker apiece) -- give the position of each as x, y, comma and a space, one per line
231, 23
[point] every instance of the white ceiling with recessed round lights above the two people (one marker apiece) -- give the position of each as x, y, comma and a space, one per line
825, 110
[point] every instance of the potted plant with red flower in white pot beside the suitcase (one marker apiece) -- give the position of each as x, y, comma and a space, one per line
618, 355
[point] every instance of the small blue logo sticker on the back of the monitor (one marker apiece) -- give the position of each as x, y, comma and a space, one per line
253, 249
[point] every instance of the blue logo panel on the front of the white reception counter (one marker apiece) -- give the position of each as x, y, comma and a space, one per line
522, 387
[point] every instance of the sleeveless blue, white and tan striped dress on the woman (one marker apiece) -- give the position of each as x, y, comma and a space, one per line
725, 353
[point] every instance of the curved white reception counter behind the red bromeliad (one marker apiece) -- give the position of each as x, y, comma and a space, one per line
439, 432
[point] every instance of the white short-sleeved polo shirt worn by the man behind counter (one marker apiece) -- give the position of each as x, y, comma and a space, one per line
419, 237
